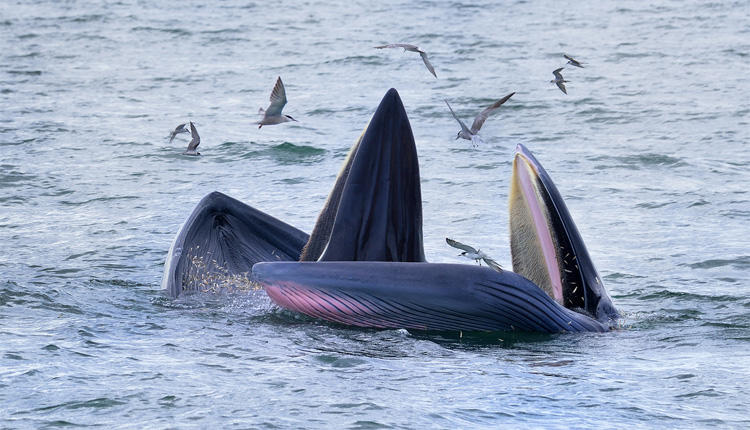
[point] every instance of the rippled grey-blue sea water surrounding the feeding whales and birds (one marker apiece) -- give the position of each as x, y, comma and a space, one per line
649, 149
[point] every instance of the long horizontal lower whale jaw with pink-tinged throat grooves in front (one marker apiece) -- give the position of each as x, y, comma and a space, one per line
419, 296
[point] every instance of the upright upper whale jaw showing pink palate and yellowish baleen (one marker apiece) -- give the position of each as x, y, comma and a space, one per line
546, 246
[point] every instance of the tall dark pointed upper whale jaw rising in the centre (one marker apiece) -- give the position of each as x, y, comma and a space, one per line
374, 211
